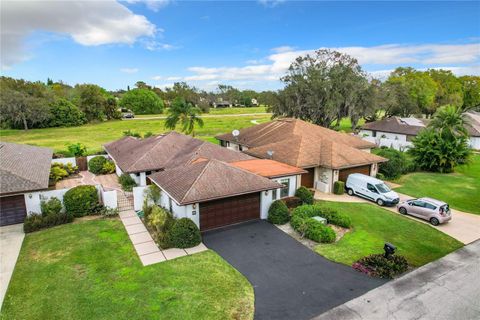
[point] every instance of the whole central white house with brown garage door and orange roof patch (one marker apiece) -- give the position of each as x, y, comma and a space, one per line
211, 185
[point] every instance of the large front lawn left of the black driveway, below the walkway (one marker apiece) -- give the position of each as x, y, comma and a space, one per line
89, 270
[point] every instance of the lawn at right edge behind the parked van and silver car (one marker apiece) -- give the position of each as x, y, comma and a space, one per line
460, 189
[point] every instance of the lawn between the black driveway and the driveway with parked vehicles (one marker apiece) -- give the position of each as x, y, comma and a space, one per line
373, 226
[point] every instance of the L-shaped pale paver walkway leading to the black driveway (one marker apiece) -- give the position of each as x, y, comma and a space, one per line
146, 248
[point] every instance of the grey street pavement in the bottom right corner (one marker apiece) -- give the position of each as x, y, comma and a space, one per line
445, 289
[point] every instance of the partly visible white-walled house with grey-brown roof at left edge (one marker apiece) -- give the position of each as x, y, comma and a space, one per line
23, 170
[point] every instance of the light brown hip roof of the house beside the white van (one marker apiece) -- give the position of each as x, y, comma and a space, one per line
302, 144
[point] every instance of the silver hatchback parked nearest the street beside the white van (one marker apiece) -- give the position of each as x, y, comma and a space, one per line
429, 209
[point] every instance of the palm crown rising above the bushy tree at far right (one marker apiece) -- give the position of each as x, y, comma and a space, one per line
449, 121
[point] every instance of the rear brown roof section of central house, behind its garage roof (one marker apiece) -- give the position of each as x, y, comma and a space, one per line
165, 151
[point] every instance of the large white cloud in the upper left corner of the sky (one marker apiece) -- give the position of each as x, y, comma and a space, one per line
89, 23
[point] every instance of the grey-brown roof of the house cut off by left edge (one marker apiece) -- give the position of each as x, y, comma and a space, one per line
23, 168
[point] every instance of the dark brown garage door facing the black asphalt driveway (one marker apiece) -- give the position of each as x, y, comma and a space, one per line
223, 212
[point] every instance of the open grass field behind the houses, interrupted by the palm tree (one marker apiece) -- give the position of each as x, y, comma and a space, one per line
95, 135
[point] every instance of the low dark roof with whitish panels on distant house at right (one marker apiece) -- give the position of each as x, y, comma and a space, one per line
408, 126
